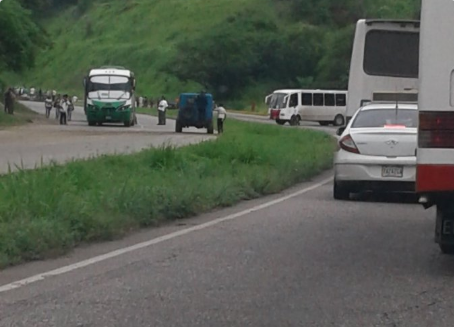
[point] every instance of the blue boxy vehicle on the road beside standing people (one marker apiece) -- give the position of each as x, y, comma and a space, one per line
191, 114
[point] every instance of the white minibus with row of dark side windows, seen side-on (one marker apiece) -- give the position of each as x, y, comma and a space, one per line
322, 106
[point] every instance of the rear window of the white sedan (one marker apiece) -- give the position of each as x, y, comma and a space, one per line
386, 117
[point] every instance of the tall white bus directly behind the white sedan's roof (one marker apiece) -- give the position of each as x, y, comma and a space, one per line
384, 63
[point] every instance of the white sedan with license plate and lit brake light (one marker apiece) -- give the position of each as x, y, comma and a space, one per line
377, 151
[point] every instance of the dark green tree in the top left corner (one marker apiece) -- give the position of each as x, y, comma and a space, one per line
20, 37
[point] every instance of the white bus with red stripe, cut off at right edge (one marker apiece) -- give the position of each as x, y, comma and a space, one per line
435, 154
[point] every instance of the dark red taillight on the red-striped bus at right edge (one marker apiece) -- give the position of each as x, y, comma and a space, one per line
436, 130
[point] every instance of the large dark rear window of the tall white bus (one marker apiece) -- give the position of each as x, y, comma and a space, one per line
392, 53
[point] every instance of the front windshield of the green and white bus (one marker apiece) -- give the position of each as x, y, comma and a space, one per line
109, 87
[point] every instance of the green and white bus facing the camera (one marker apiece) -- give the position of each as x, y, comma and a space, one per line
109, 96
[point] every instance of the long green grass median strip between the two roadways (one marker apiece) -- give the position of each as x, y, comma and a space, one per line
49, 211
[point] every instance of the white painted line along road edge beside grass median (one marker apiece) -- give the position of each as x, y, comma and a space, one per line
113, 254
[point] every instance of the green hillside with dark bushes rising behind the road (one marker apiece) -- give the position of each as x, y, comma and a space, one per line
238, 49
